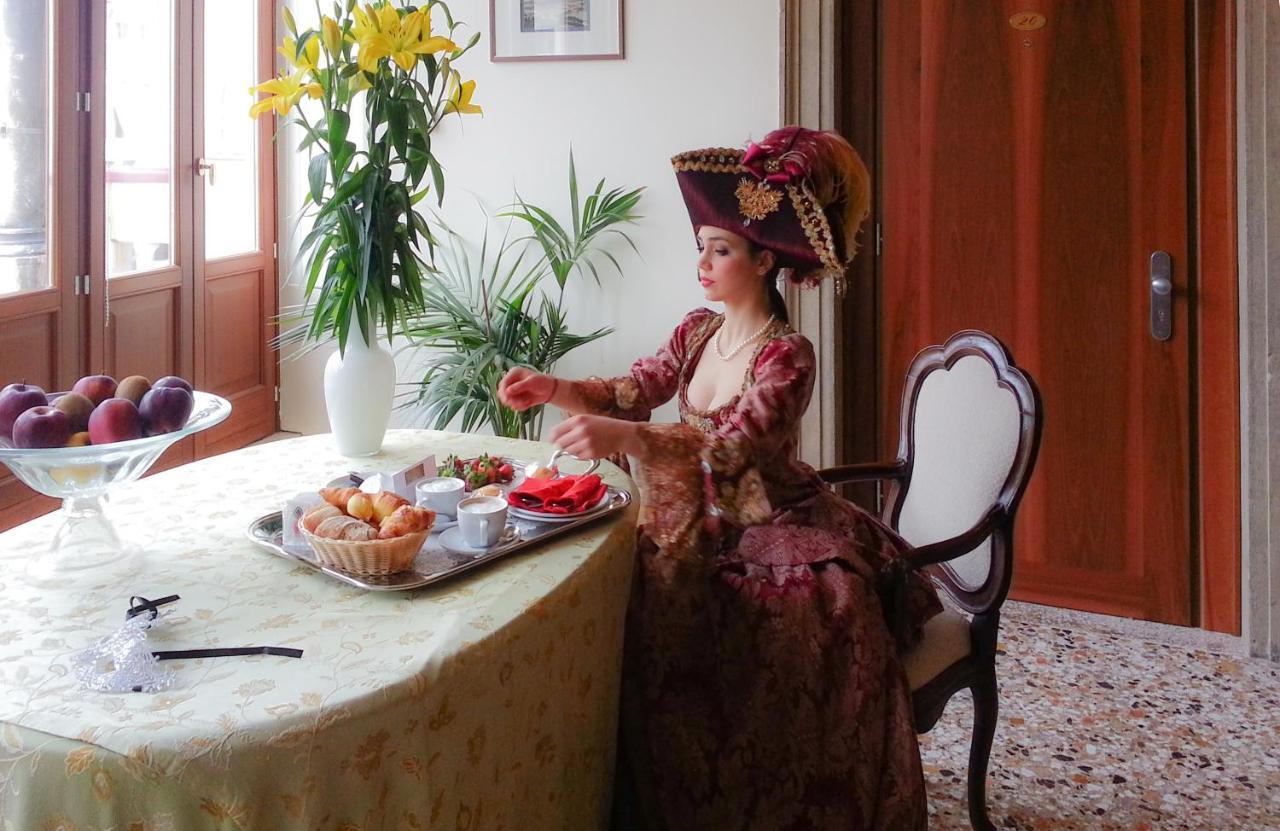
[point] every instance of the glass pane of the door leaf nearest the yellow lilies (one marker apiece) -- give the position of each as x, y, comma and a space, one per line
231, 136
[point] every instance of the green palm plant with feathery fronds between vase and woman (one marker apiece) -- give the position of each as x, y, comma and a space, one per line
491, 308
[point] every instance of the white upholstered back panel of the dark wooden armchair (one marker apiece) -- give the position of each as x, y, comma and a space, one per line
966, 433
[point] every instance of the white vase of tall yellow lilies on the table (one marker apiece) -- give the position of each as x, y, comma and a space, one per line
368, 252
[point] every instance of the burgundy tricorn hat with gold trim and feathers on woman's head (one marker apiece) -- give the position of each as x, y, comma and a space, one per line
802, 194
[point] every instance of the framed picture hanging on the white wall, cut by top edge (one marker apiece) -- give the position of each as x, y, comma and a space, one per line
555, 30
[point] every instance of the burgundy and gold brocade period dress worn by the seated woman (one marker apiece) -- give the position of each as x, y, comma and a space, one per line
762, 687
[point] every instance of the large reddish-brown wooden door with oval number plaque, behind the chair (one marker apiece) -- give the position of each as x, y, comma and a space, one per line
1034, 157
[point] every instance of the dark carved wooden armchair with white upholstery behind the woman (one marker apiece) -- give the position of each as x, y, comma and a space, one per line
971, 430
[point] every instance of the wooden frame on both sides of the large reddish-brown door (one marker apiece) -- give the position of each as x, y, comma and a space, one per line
854, 436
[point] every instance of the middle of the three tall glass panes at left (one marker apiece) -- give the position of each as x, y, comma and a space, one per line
139, 136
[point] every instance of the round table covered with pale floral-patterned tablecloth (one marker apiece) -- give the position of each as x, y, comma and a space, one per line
486, 702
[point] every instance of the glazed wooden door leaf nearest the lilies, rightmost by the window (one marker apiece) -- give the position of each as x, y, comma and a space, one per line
235, 222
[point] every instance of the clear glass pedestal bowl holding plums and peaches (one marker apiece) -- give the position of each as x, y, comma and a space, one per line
81, 477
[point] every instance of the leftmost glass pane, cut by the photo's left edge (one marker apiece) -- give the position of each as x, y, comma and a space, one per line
25, 152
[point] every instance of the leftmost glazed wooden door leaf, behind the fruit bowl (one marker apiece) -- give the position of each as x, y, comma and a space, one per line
43, 131
